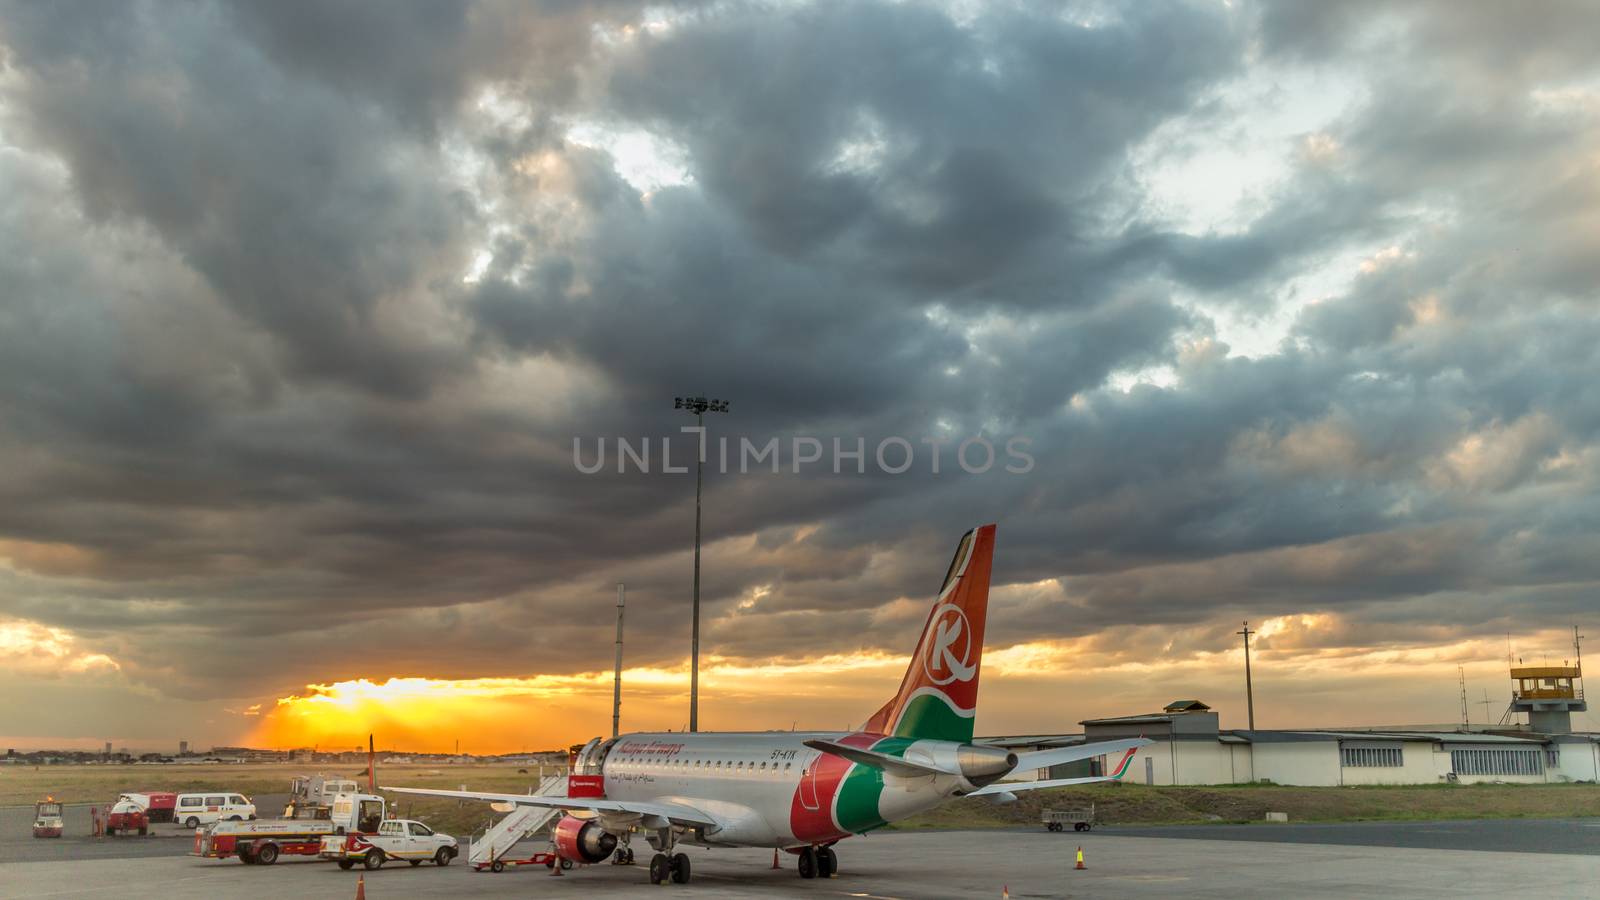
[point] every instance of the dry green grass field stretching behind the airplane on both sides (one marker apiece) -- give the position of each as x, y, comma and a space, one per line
1118, 805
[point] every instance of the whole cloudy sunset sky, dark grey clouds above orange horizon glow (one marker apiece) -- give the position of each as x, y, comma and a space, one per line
305, 308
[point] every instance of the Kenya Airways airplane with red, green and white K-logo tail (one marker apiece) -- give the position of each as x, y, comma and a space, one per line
806, 792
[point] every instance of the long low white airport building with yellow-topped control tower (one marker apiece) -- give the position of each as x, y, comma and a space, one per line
1190, 749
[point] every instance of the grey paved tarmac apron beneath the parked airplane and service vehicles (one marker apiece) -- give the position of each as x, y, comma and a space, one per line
1486, 859
